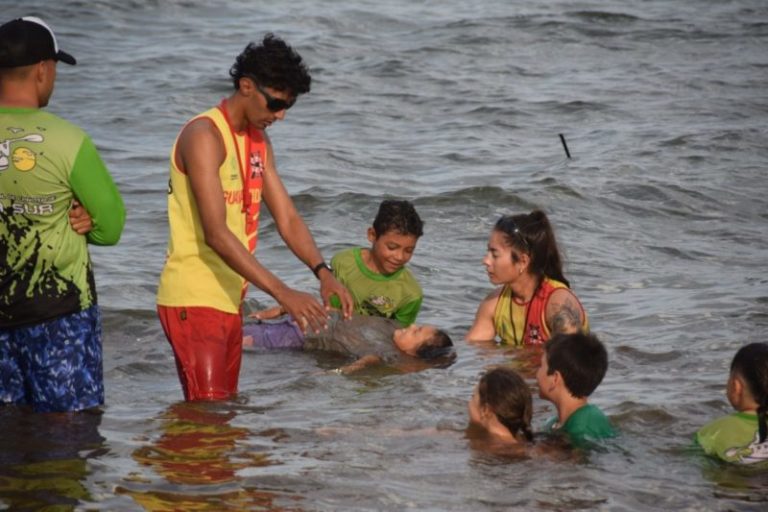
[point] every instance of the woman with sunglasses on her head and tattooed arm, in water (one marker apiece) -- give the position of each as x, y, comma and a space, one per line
534, 300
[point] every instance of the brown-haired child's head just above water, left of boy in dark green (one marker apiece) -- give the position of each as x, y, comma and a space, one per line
502, 406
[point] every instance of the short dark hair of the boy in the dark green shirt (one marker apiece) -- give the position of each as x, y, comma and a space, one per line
580, 358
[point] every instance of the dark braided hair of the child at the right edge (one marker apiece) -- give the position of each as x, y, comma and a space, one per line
751, 364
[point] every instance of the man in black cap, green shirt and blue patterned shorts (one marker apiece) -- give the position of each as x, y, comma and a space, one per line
50, 328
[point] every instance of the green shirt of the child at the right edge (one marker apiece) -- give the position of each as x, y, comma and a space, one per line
734, 438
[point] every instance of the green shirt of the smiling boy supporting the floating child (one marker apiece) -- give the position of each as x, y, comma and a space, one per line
397, 295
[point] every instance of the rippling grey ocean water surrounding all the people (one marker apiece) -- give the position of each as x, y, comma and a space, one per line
660, 213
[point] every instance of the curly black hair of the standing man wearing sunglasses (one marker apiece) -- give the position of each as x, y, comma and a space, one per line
272, 64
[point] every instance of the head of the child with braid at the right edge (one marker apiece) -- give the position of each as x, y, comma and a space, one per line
747, 388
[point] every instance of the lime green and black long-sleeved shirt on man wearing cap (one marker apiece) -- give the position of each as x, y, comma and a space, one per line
45, 163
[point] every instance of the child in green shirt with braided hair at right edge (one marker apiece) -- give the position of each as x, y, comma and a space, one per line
741, 437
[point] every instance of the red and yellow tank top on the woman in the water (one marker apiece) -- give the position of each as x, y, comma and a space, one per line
525, 324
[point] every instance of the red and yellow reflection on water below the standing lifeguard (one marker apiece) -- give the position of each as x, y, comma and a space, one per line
194, 464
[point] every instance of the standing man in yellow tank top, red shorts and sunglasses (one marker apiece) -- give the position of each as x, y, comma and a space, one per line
222, 166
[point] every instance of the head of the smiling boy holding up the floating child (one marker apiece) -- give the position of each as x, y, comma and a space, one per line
393, 236
